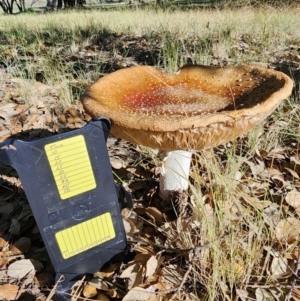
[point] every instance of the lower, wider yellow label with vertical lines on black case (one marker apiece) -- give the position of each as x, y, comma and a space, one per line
86, 235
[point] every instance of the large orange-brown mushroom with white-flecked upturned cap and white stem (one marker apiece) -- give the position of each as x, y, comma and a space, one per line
199, 107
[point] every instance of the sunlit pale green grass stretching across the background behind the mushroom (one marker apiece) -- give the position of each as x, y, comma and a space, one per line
198, 36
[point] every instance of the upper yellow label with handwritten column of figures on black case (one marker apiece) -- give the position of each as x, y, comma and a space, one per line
71, 166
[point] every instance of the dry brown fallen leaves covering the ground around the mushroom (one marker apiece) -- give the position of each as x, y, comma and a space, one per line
166, 248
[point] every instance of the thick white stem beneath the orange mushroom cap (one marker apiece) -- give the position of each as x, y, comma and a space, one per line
174, 175
